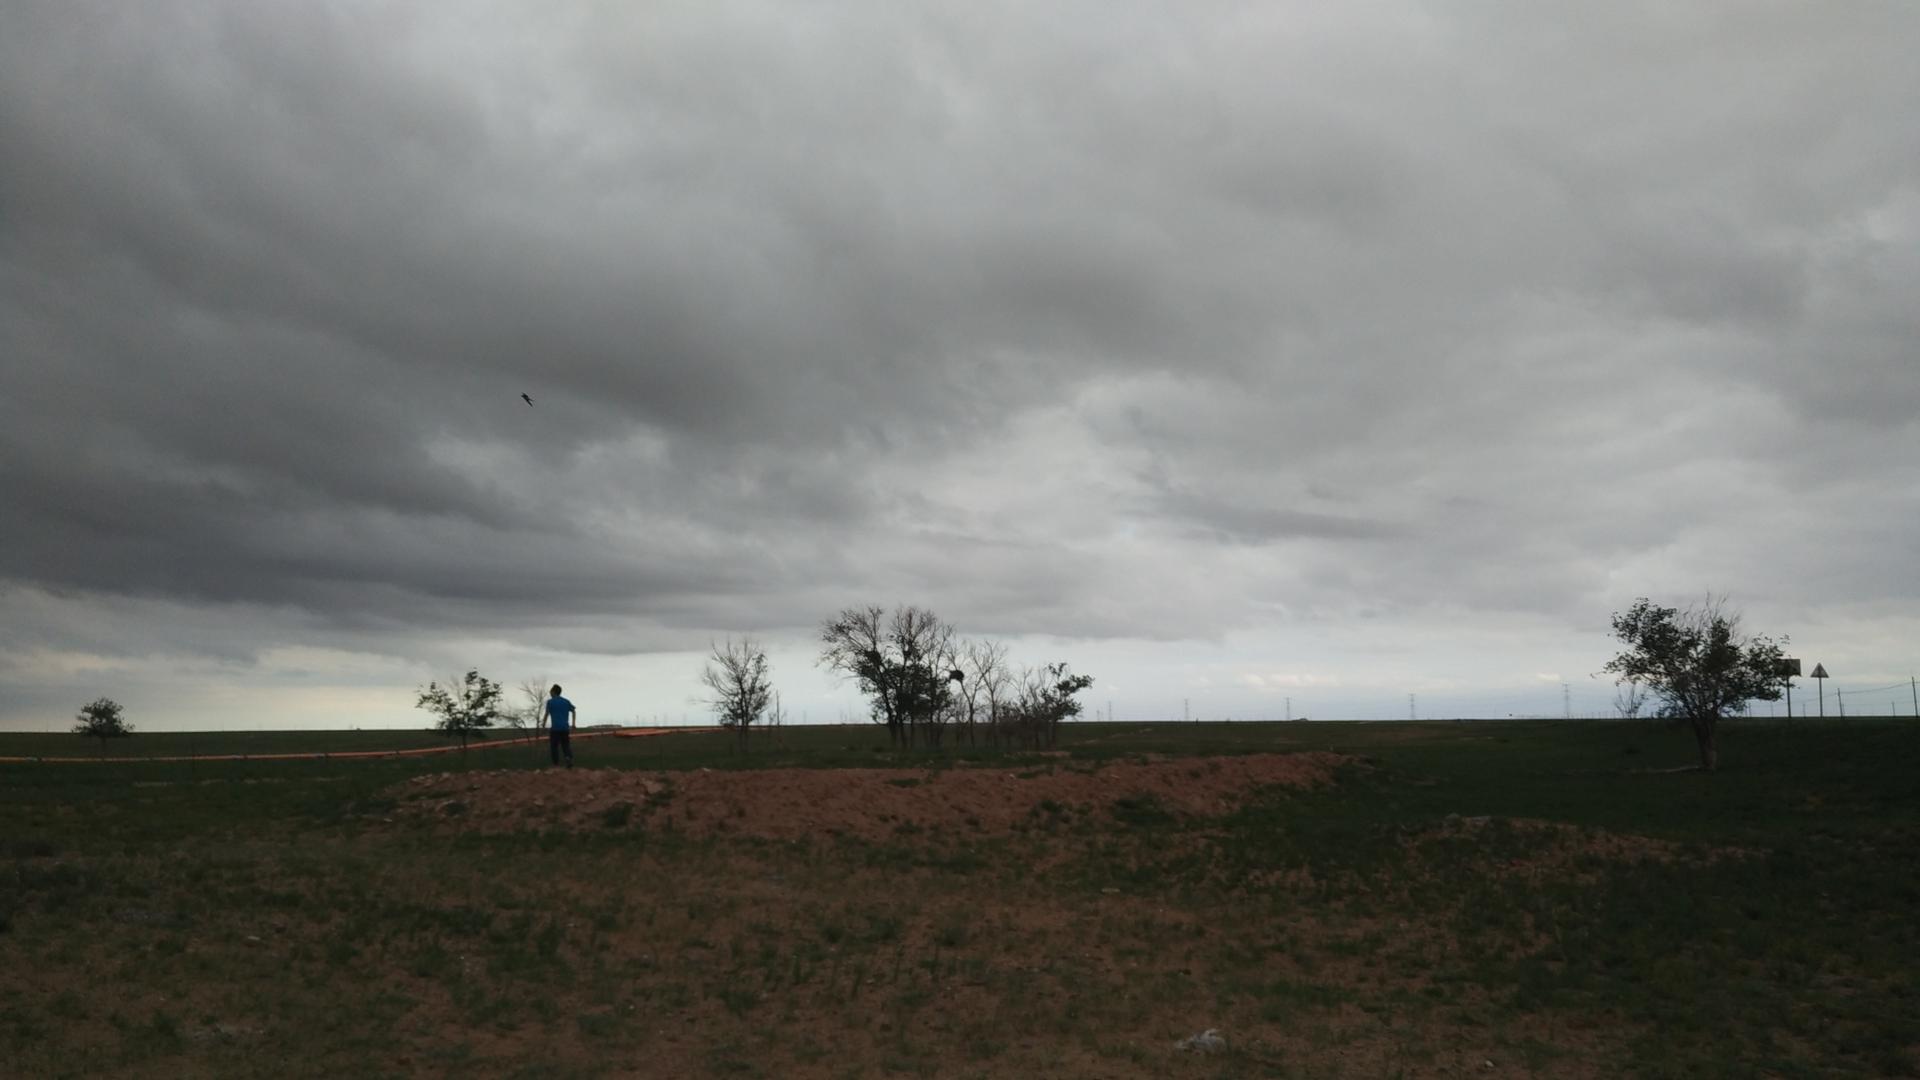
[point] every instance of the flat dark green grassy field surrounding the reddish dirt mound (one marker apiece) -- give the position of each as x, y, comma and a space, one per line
1491, 898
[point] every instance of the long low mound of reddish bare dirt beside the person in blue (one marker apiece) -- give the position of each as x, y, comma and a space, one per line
855, 802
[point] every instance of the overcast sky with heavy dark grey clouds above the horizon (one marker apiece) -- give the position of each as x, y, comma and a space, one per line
1237, 355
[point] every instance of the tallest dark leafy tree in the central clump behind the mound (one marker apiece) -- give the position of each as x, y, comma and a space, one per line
900, 662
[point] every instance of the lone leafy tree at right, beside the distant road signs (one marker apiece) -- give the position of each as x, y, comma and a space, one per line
1696, 664
